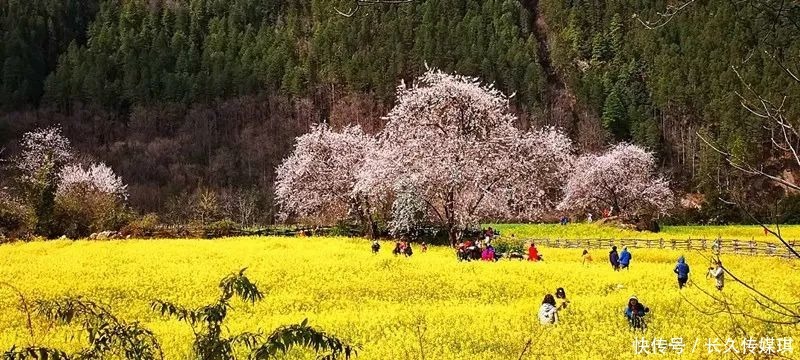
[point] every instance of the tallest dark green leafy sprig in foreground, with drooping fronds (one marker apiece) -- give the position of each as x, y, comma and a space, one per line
210, 344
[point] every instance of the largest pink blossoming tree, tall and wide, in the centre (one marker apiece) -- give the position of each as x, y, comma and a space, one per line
450, 155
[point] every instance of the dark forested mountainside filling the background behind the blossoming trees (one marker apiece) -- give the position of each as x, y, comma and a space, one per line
187, 97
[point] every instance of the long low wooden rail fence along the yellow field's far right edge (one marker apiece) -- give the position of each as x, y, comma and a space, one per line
726, 246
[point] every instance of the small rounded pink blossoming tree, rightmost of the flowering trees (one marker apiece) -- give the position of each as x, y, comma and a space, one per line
623, 179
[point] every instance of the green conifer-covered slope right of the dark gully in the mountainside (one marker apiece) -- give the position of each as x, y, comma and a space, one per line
662, 84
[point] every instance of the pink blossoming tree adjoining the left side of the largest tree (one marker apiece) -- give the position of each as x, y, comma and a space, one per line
315, 182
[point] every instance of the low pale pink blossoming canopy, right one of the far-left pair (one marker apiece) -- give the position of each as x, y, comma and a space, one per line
98, 178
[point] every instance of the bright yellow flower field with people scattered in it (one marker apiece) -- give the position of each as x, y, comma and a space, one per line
428, 306
